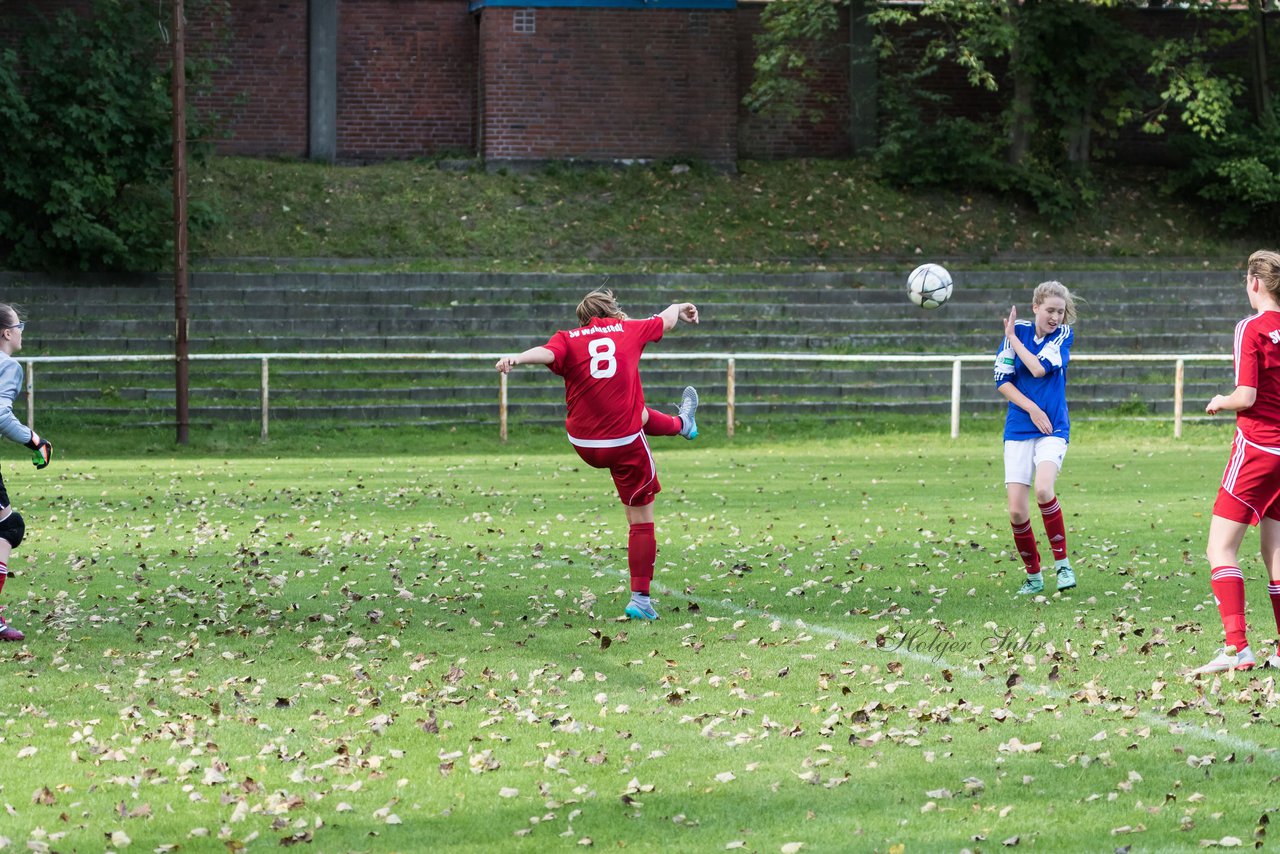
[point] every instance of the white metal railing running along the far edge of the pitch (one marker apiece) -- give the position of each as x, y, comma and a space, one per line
1178, 362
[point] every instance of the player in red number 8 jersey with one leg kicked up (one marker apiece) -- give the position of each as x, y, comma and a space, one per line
609, 421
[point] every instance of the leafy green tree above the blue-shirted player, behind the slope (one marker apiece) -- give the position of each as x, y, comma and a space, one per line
1067, 71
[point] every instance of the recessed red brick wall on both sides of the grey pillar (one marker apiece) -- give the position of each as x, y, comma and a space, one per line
406, 77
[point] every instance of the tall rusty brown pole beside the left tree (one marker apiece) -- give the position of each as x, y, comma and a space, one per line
180, 222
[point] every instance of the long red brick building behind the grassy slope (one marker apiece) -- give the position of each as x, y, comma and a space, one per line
511, 81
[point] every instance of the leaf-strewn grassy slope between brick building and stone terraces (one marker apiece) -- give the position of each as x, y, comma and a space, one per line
771, 216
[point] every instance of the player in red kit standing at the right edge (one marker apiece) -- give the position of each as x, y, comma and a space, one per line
1251, 486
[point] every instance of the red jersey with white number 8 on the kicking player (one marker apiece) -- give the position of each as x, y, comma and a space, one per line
601, 366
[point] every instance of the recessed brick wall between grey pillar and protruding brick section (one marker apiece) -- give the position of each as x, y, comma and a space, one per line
406, 79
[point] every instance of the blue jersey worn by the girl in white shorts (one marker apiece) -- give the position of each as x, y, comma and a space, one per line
1048, 392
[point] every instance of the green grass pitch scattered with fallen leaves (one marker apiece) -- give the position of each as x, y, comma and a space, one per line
404, 642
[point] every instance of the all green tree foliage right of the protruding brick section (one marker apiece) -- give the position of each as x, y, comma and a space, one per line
1068, 77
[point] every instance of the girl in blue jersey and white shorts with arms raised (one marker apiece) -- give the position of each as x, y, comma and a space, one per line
1031, 373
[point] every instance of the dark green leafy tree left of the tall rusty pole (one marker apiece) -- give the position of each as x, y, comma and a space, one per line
88, 143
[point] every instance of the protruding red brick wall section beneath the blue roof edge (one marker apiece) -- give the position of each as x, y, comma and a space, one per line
609, 84
